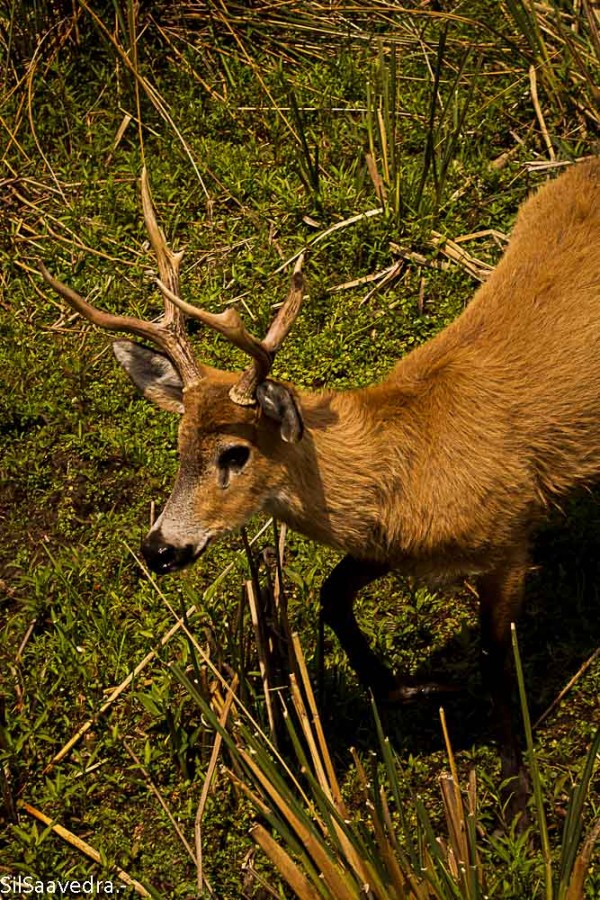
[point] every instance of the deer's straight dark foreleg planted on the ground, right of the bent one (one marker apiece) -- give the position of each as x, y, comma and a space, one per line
501, 597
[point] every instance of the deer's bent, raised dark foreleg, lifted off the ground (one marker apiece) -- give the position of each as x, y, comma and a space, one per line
337, 599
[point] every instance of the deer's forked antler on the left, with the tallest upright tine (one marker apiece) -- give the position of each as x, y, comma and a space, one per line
169, 332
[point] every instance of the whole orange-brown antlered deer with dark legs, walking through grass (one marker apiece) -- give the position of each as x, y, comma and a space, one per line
442, 470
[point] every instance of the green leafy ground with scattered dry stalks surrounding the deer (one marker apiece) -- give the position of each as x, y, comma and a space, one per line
256, 131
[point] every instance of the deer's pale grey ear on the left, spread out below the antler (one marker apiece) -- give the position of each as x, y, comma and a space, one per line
152, 373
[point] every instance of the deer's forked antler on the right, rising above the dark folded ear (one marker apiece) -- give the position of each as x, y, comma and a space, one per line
230, 325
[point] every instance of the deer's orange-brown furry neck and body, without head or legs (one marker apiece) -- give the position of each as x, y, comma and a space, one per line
444, 466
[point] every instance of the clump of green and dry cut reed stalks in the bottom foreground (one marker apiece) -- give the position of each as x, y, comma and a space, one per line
328, 850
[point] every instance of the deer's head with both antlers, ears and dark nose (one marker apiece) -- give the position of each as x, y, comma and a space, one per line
234, 428
